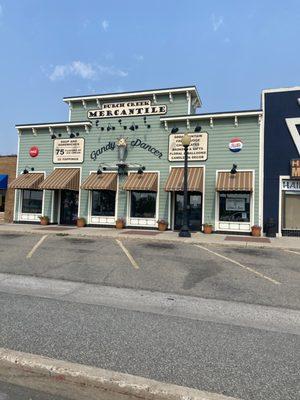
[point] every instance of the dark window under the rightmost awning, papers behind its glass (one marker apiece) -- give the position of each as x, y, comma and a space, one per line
234, 206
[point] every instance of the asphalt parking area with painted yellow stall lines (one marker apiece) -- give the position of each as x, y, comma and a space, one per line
252, 275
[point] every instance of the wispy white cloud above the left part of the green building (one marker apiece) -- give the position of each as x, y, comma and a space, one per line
84, 70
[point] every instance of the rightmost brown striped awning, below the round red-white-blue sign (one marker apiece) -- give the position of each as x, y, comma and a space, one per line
241, 181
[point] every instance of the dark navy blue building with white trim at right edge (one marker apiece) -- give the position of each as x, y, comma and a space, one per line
281, 149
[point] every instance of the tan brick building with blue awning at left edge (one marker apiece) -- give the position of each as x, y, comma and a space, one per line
7, 174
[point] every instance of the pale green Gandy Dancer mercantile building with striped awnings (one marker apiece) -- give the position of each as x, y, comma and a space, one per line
120, 156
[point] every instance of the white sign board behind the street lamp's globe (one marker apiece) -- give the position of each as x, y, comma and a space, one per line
197, 150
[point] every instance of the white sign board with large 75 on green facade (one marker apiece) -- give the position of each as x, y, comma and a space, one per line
68, 151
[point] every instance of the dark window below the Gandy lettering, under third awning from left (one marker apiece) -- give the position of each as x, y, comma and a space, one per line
103, 203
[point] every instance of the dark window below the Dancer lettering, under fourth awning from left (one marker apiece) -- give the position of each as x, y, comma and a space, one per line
143, 204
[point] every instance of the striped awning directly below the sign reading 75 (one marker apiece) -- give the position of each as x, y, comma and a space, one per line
62, 178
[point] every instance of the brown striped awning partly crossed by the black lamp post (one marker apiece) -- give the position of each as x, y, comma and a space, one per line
176, 176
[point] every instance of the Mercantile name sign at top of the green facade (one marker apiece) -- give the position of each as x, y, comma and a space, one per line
127, 109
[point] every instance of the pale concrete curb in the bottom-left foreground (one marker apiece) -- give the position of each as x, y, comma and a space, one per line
81, 382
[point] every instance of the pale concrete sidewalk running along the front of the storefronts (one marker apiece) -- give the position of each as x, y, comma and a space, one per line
197, 237
